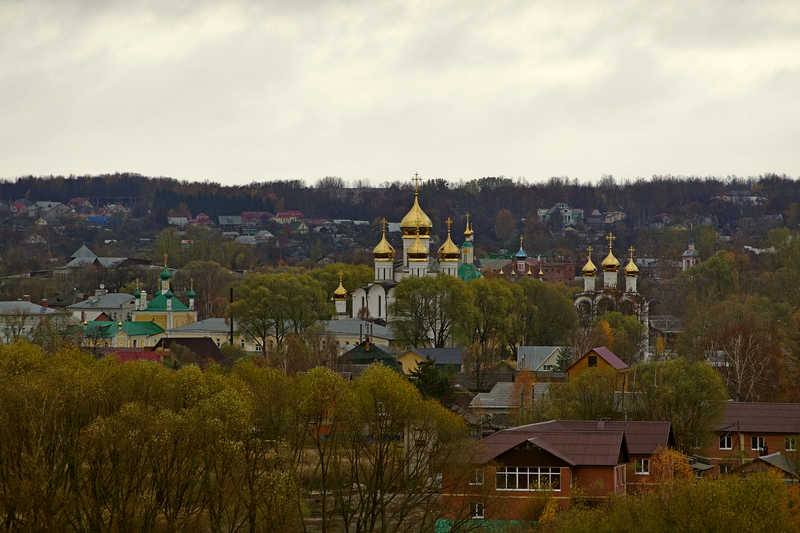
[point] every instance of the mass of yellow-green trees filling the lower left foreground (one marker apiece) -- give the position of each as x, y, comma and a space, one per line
93, 445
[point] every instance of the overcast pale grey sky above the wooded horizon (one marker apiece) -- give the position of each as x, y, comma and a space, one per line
240, 91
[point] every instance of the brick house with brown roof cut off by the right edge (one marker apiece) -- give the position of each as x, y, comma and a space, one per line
753, 429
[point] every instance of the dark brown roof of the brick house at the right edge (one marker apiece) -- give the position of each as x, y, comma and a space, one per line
760, 417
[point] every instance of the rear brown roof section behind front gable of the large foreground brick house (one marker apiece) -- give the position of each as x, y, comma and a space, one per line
643, 437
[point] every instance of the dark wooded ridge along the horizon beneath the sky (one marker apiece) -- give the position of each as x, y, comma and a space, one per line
329, 197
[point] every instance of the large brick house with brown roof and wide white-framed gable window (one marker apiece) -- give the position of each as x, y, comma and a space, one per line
515, 464
